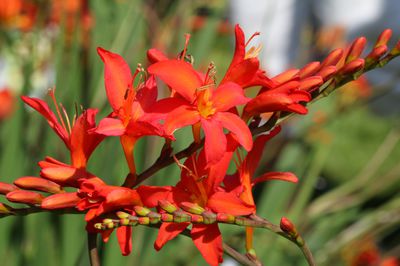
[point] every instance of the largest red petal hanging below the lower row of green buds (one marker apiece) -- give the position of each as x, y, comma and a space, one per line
208, 240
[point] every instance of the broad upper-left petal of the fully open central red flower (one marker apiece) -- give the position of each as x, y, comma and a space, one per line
178, 75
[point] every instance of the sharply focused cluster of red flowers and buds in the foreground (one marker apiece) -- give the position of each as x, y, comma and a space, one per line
226, 125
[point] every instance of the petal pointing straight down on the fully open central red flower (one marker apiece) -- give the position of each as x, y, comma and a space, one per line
215, 140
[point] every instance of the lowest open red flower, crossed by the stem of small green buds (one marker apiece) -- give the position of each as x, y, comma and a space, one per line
200, 186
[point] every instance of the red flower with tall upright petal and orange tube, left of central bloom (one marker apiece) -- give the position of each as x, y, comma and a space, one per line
130, 118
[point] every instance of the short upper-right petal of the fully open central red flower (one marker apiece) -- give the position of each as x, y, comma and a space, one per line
227, 96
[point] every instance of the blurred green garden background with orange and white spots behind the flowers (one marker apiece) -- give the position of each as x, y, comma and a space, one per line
345, 151
